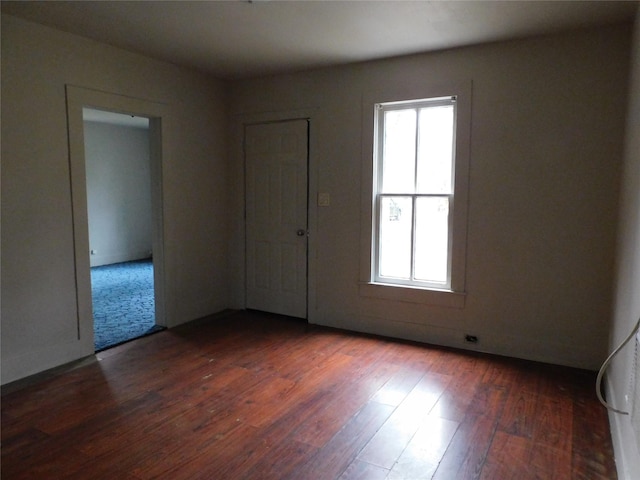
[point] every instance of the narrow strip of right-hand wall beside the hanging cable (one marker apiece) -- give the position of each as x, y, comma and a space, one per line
626, 311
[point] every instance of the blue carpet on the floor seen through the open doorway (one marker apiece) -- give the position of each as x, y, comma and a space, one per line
123, 302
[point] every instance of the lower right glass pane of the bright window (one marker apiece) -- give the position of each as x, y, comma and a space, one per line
432, 239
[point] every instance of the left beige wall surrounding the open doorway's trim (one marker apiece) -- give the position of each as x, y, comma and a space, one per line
39, 310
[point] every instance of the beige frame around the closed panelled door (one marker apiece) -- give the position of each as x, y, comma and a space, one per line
238, 253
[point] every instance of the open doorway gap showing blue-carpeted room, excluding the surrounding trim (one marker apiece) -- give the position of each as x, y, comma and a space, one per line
119, 209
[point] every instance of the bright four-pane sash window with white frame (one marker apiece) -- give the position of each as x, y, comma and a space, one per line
414, 192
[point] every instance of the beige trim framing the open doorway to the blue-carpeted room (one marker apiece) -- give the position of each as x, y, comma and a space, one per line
78, 98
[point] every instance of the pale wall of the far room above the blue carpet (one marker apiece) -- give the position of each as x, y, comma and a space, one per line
118, 192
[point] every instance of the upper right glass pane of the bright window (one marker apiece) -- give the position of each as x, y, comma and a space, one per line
435, 154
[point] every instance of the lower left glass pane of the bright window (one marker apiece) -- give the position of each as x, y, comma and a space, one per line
395, 237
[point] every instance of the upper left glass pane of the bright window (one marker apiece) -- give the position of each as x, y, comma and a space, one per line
399, 151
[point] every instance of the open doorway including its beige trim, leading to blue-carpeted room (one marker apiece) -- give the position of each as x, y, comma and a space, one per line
117, 209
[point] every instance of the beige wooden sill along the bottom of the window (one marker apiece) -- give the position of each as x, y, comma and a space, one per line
402, 293
